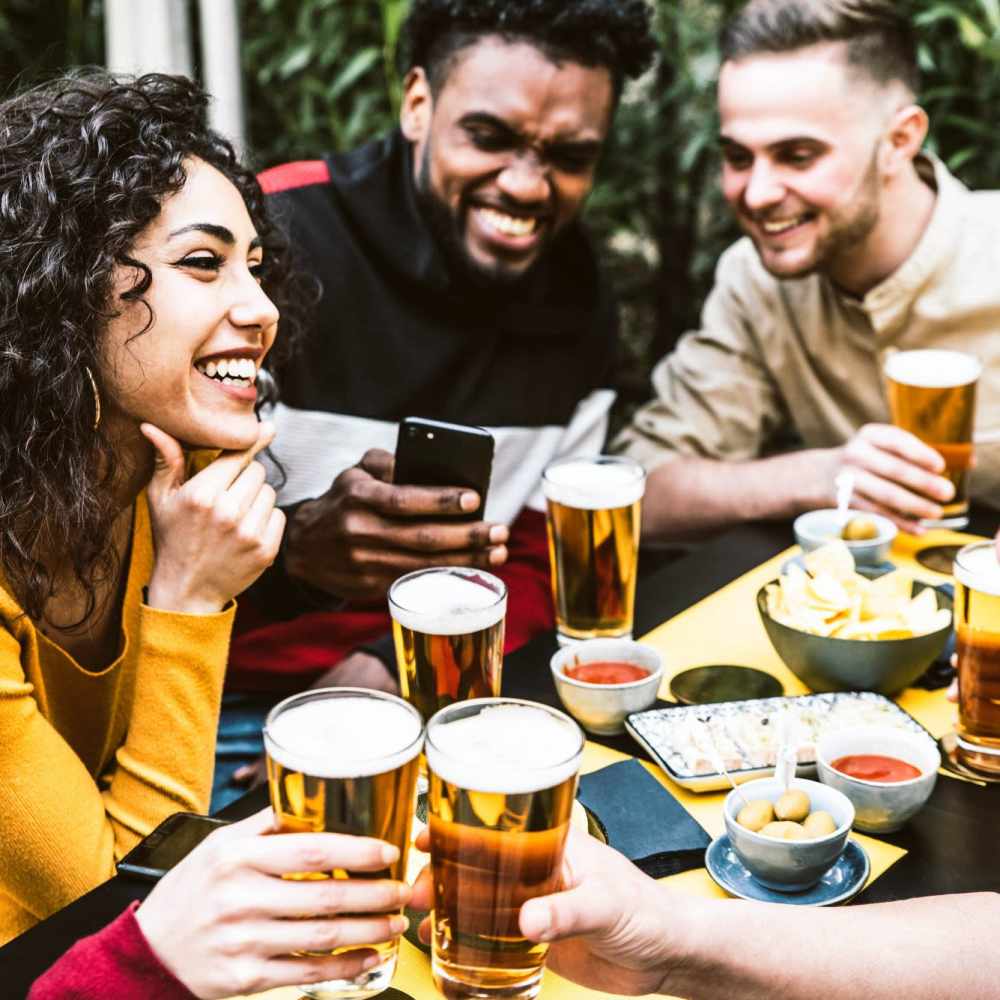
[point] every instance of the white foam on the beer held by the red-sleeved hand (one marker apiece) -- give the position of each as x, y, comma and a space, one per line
344, 737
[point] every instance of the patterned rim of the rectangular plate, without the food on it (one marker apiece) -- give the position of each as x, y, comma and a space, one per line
640, 726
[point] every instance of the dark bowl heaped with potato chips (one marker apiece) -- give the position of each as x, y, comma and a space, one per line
840, 630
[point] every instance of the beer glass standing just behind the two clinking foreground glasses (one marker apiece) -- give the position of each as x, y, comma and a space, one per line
447, 624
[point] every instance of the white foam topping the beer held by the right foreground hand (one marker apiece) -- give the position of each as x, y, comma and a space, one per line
505, 748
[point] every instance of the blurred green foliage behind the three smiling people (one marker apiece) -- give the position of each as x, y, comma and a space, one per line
321, 74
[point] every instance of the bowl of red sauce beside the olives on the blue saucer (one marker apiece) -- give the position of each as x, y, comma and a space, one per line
888, 774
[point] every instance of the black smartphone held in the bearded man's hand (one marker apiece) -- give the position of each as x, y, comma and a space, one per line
435, 453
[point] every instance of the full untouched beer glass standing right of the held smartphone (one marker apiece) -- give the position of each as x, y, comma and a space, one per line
593, 529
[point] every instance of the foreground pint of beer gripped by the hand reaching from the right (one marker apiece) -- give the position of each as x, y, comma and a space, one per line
502, 781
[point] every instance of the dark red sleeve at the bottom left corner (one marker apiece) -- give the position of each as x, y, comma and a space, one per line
115, 962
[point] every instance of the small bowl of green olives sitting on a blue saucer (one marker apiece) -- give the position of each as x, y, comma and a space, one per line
787, 838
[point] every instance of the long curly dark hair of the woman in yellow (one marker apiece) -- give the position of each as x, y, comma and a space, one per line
86, 162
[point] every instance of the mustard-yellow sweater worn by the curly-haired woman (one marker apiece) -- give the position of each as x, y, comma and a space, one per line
91, 762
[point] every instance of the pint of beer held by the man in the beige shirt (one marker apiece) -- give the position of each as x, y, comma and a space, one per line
932, 394
